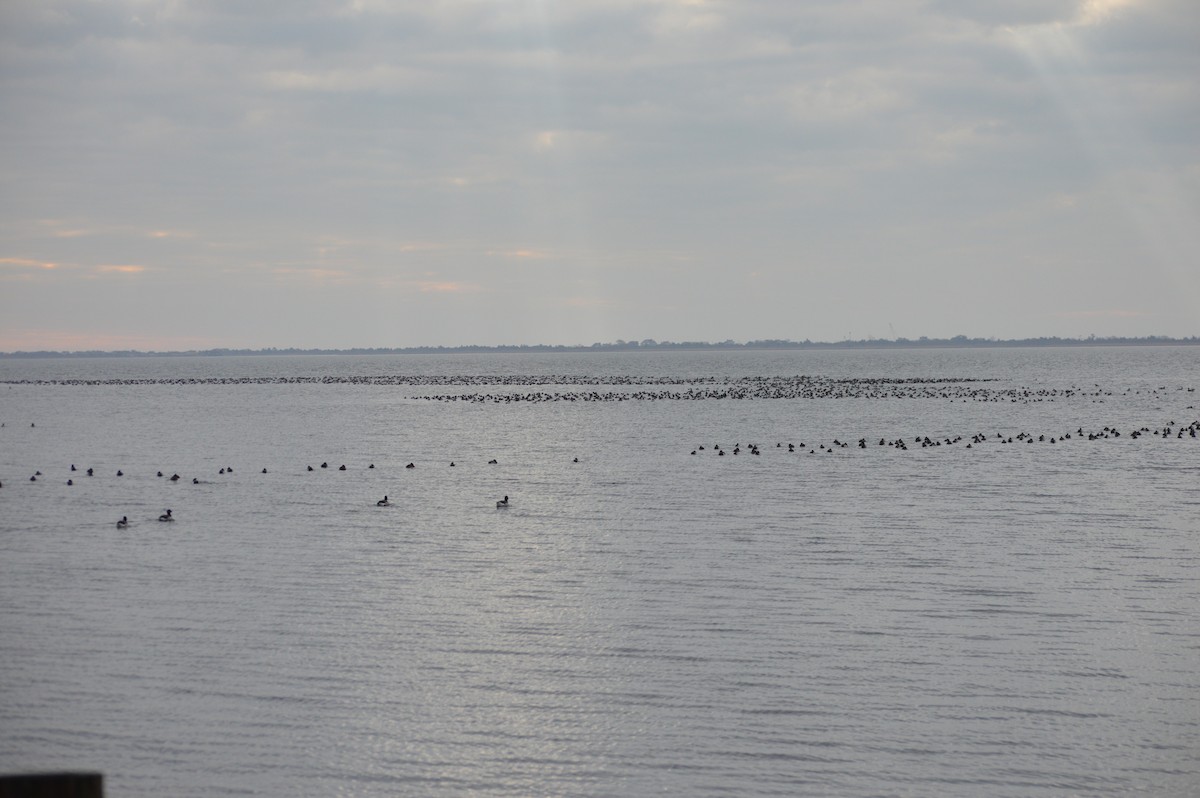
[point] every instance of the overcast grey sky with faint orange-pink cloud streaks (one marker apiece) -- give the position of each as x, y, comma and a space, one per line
190, 175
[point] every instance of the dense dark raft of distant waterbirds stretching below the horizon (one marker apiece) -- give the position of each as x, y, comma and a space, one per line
569, 388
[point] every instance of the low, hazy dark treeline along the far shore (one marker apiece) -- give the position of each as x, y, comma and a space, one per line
650, 345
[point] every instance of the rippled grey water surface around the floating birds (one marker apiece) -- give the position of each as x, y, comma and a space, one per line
1007, 620
